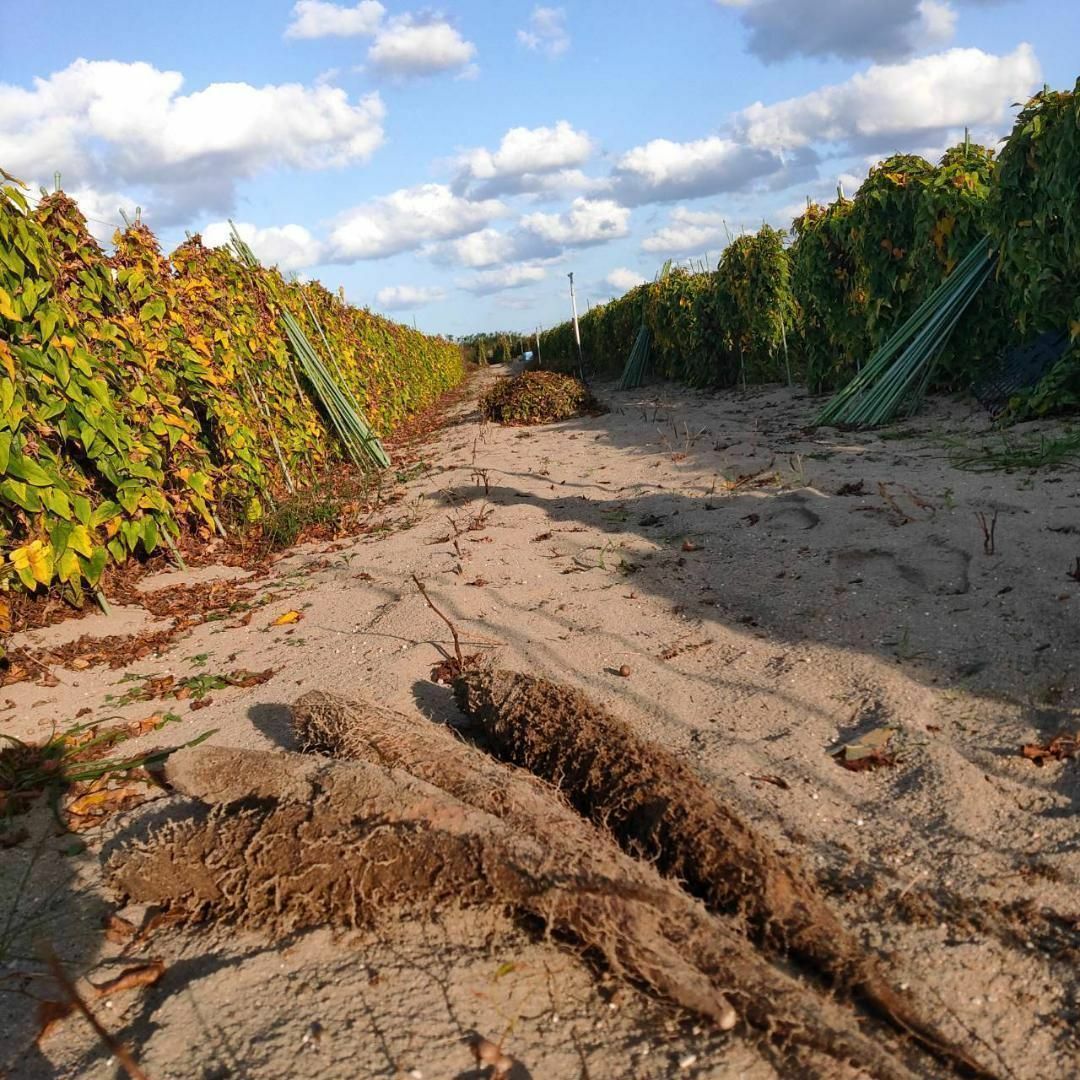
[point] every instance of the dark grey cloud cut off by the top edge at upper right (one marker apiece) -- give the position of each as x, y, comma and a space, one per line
850, 30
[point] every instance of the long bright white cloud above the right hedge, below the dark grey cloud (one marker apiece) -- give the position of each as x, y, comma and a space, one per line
922, 97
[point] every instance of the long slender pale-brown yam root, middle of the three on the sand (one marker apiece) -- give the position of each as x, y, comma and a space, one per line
768, 1000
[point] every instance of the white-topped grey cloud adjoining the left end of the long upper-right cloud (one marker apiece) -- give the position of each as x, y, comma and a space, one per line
663, 171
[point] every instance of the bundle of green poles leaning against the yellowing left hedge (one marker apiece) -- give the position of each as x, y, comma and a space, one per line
334, 396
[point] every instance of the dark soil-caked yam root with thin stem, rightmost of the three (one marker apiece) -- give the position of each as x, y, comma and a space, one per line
660, 811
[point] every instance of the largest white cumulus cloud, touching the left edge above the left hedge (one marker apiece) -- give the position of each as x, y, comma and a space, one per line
107, 124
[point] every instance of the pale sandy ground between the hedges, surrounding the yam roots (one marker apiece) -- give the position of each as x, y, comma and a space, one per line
766, 619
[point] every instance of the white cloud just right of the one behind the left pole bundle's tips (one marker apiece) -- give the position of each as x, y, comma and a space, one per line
409, 219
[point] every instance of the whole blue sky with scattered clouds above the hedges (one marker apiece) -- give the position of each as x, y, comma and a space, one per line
451, 166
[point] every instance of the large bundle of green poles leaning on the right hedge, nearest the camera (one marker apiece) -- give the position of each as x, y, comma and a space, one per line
897, 376
